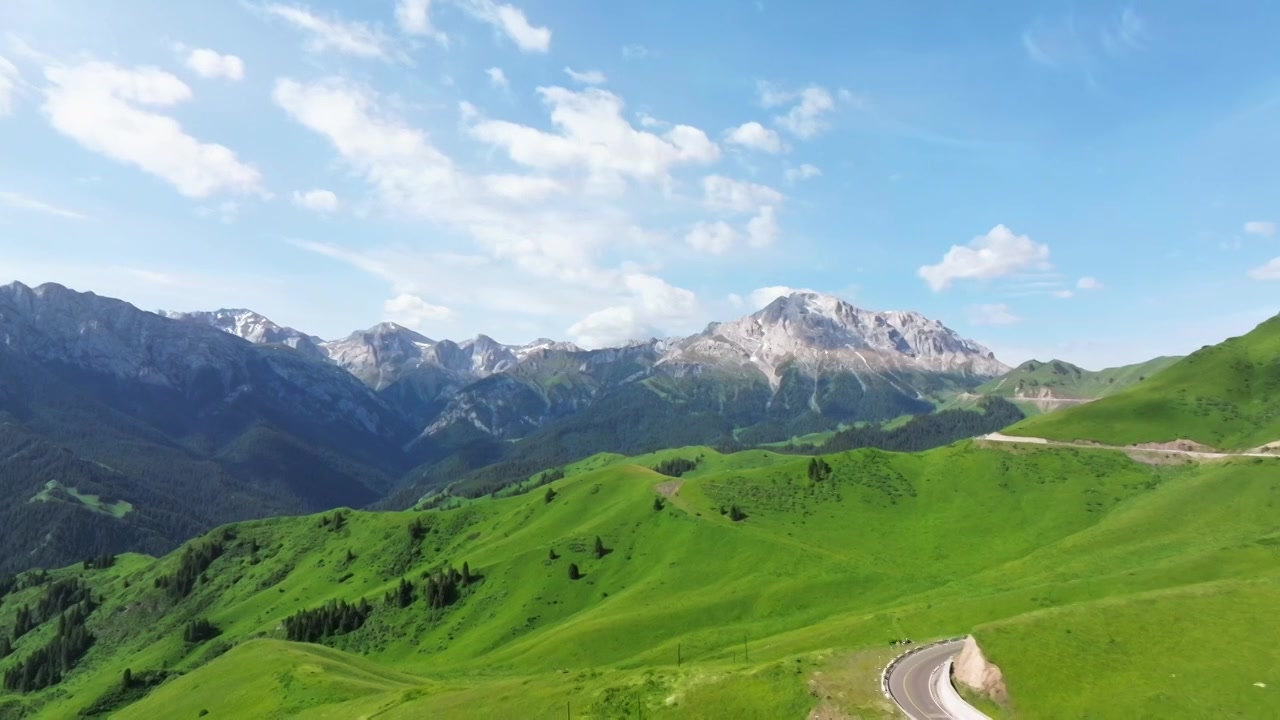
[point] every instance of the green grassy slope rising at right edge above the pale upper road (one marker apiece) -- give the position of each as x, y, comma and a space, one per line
1227, 397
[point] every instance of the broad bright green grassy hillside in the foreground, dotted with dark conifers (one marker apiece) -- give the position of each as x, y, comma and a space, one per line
1053, 557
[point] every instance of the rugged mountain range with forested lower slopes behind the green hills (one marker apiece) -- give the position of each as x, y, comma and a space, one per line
156, 426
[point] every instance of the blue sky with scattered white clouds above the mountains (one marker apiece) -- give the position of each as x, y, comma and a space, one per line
1087, 181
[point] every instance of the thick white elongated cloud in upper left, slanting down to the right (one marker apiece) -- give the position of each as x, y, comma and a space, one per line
100, 107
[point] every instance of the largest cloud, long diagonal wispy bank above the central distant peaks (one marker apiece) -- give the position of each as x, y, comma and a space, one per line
547, 259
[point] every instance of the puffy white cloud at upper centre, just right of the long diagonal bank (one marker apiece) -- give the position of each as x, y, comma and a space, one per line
595, 136
